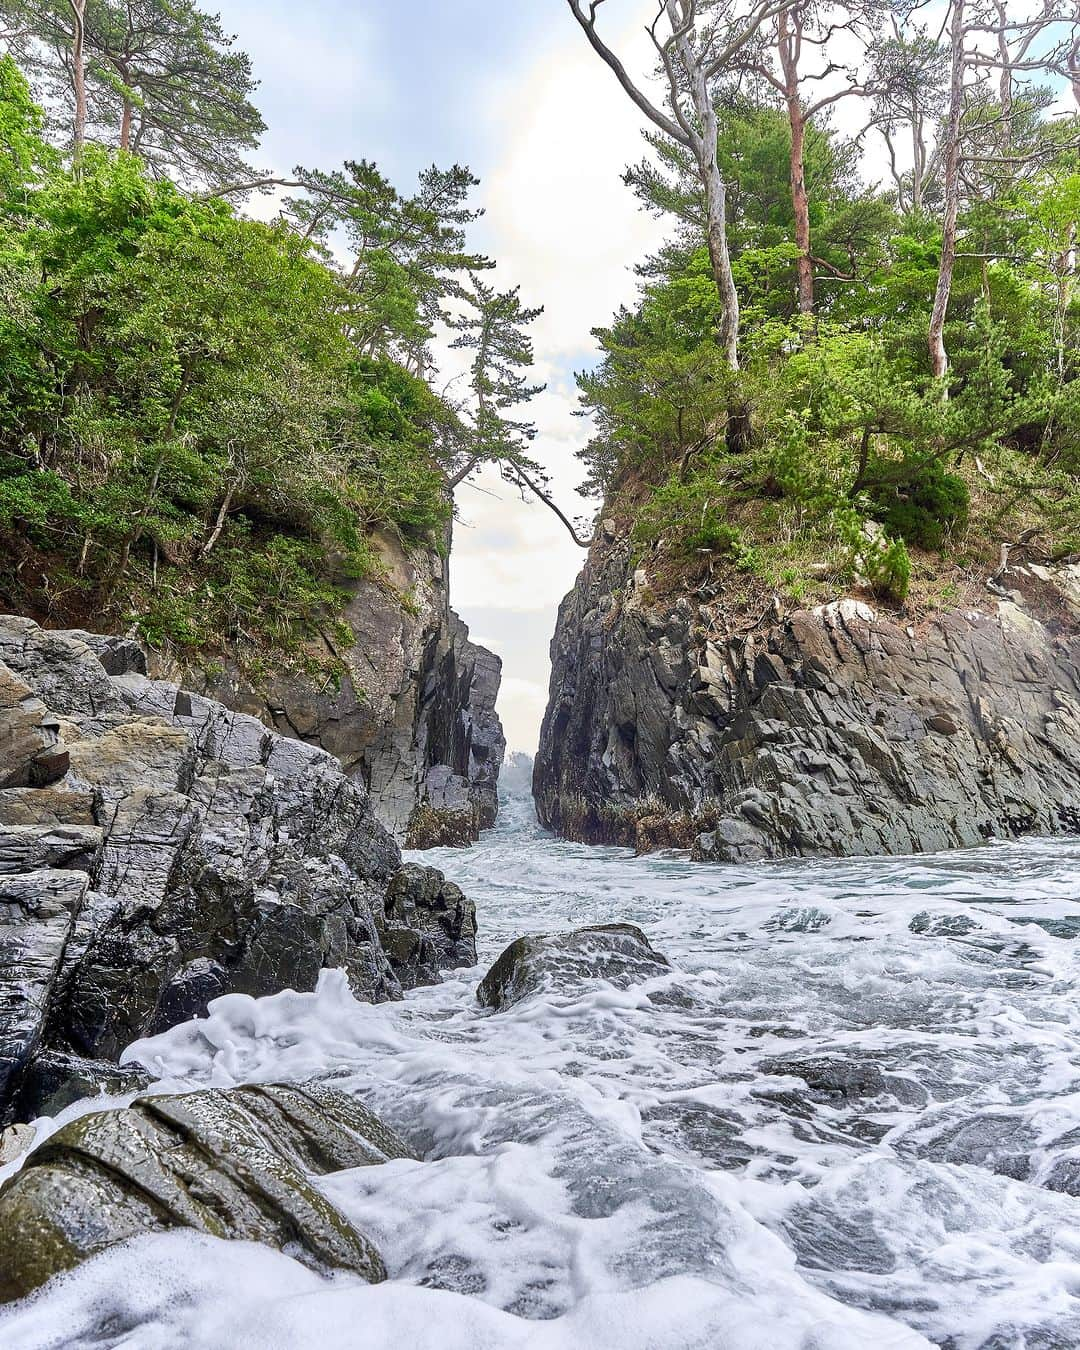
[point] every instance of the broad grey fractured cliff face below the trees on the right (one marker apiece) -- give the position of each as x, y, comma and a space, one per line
835, 731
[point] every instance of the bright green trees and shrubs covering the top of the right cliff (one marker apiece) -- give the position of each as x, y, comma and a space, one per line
855, 454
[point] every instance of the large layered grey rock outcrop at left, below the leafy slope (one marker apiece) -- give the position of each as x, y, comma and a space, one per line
186, 853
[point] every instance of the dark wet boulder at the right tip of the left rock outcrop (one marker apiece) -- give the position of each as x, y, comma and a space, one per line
422, 901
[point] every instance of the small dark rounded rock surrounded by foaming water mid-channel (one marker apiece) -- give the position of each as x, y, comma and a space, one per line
616, 952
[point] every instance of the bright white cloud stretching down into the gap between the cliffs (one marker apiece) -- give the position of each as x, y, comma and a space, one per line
566, 230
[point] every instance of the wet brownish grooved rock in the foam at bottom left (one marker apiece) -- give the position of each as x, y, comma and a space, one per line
229, 1164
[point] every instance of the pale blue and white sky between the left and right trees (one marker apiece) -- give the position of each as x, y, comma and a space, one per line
512, 90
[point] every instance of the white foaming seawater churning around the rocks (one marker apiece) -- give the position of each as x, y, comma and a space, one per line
851, 1118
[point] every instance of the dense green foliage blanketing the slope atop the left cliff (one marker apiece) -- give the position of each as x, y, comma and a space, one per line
190, 435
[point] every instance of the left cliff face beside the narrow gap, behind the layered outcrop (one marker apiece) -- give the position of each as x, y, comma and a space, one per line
414, 713
